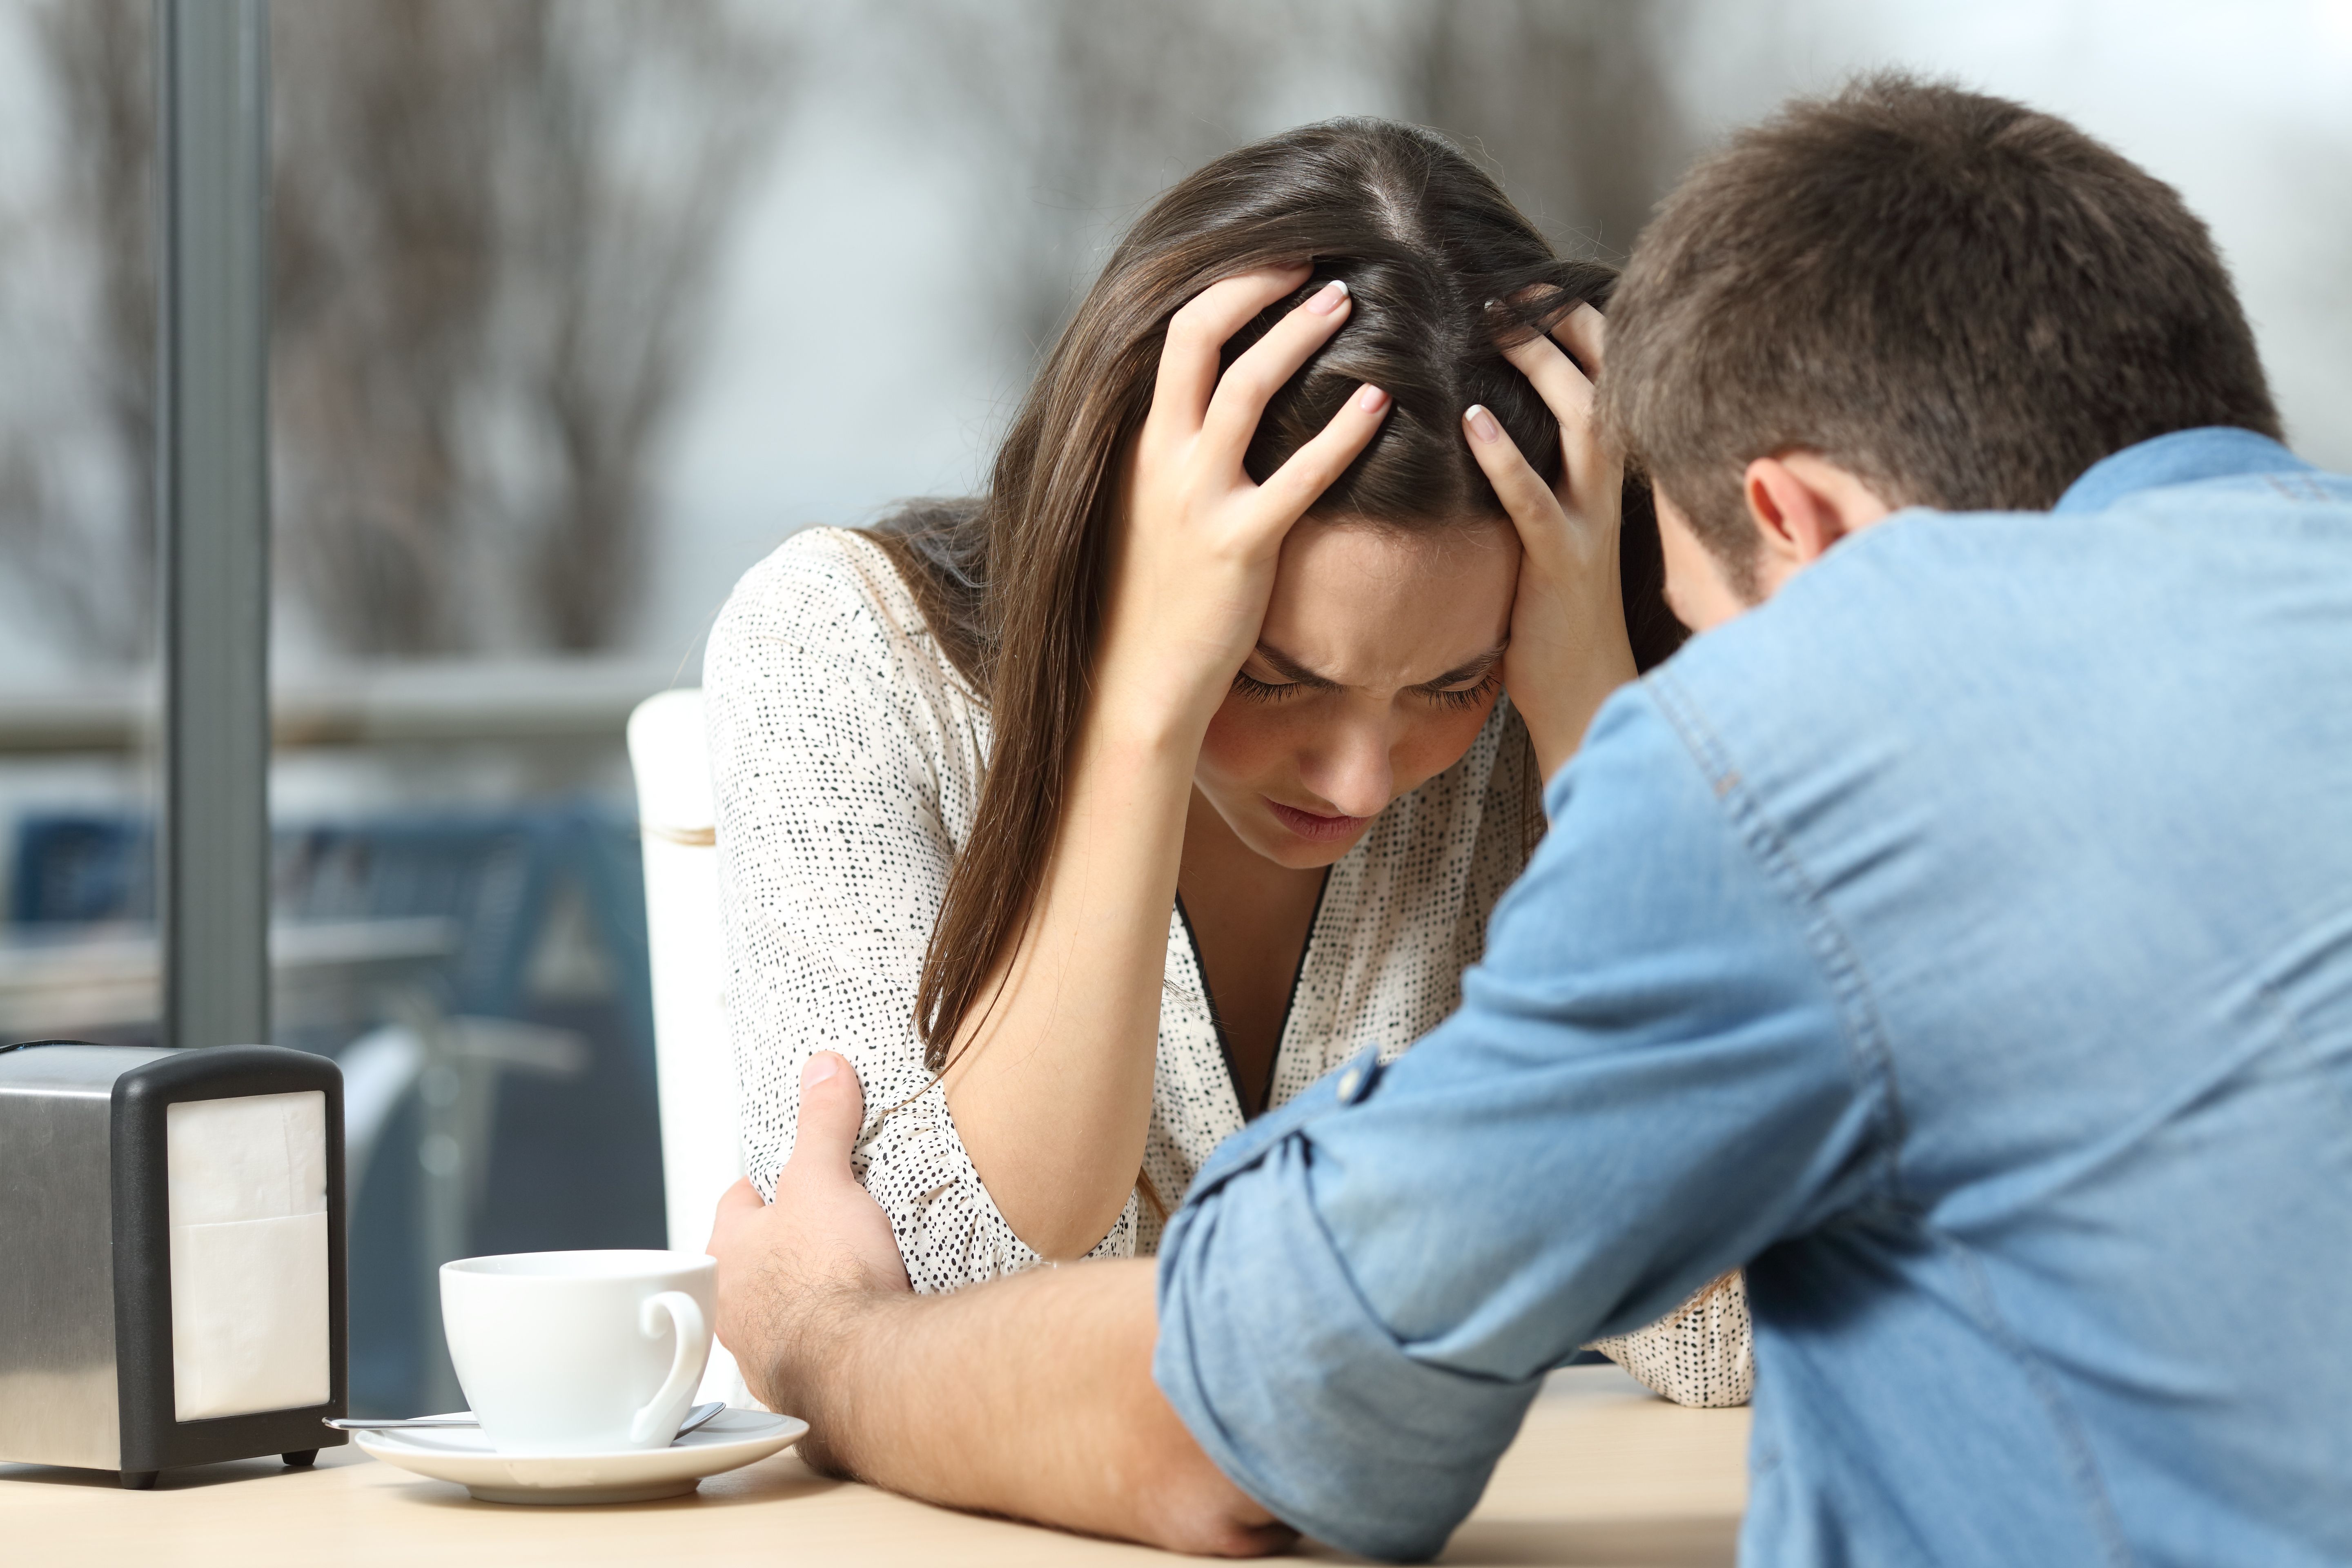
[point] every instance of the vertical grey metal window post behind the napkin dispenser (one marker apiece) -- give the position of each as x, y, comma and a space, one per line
213, 516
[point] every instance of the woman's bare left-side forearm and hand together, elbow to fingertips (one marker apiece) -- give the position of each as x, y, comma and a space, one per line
1053, 1085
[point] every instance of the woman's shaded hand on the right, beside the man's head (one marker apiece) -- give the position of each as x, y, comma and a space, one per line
1568, 622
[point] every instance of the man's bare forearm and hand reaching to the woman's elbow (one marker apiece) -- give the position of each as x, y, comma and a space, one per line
1029, 1398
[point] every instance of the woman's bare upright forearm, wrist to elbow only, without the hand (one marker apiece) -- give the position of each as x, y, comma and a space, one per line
1053, 1085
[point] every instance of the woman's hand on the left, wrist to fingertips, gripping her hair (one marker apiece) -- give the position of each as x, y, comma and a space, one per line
1194, 561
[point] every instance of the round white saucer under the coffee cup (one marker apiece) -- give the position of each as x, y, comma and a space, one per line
726, 1442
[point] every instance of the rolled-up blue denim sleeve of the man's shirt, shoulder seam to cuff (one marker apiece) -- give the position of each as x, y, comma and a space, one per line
1662, 1068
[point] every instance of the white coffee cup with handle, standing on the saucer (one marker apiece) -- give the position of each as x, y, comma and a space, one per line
580, 1353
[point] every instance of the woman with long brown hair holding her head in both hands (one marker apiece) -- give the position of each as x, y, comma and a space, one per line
1104, 812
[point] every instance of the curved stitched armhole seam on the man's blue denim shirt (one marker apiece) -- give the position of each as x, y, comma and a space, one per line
1840, 967
